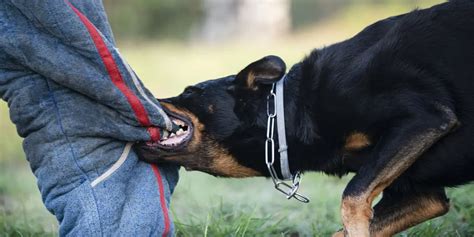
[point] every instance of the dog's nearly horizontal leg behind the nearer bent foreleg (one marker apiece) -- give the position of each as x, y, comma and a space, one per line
394, 214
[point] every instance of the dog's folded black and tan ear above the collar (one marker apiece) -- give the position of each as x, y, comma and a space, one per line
267, 70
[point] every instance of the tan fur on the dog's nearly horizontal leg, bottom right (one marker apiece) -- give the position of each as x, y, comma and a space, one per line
404, 217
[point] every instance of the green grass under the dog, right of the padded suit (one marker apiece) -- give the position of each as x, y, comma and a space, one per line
252, 207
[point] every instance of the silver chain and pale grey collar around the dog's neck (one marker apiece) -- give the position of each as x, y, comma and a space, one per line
275, 108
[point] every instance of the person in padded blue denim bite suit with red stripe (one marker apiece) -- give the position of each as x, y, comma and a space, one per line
80, 107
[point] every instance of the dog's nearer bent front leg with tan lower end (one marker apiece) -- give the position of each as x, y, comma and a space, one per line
393, 154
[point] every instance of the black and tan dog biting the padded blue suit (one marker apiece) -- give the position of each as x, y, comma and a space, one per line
394, 104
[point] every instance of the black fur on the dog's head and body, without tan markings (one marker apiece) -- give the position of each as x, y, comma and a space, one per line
396, 72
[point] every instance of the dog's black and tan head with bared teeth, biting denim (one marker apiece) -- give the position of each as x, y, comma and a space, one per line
223, 123
